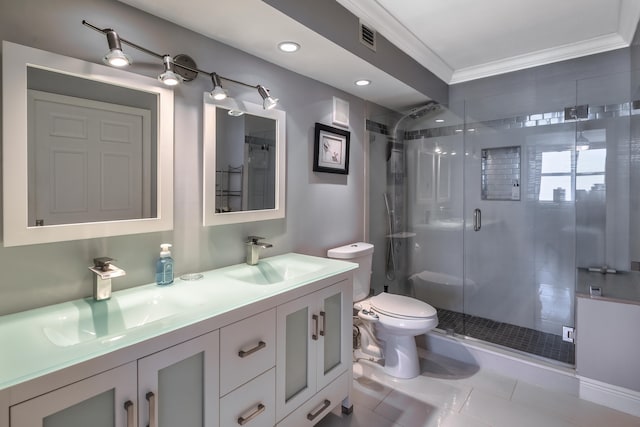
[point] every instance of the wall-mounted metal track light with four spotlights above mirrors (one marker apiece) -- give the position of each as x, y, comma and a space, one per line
177, 69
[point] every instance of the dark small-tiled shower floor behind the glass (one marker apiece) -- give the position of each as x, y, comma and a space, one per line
516, 337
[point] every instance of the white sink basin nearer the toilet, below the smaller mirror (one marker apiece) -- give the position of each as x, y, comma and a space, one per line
271, 271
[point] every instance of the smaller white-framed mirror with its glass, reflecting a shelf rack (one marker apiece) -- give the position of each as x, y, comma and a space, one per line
244, 162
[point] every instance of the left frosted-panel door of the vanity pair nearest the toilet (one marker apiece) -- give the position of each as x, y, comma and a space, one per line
297, 324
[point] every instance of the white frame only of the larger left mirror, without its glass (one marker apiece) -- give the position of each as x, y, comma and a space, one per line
15, 61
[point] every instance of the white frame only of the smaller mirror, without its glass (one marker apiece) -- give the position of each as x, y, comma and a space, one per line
209, 215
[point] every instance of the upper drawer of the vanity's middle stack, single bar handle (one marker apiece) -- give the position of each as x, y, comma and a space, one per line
247, 348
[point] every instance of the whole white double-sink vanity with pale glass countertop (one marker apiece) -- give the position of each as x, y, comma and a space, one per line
258, 345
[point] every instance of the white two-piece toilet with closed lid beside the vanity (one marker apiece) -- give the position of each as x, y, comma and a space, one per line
397, 319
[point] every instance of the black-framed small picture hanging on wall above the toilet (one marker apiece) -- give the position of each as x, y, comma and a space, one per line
331, 149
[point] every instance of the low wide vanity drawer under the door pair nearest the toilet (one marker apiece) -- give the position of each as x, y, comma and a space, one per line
319, 405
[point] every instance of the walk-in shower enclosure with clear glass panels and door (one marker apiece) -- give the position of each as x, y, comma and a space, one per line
488, 208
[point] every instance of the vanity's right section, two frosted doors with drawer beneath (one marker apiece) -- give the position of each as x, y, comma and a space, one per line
314, 342
